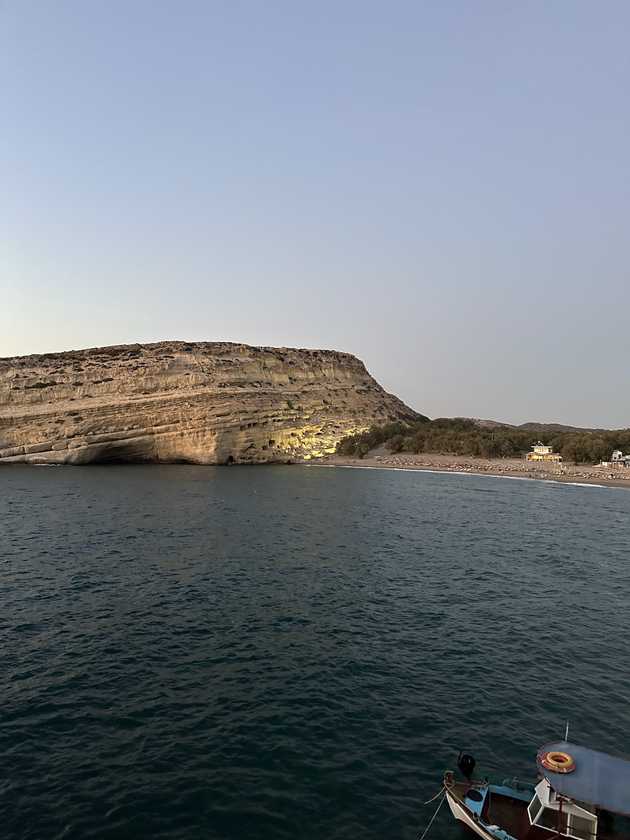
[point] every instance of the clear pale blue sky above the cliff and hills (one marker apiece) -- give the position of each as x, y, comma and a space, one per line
440, 188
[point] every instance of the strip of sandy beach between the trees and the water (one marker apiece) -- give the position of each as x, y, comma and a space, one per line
506, 467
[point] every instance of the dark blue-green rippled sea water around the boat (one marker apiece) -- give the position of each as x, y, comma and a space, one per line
289, 652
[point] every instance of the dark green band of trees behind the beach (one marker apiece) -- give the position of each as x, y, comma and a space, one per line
466, 437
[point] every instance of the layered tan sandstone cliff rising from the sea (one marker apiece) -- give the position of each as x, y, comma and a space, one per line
201, 403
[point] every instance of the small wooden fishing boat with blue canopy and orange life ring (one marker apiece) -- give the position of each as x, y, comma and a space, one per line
577, 794
